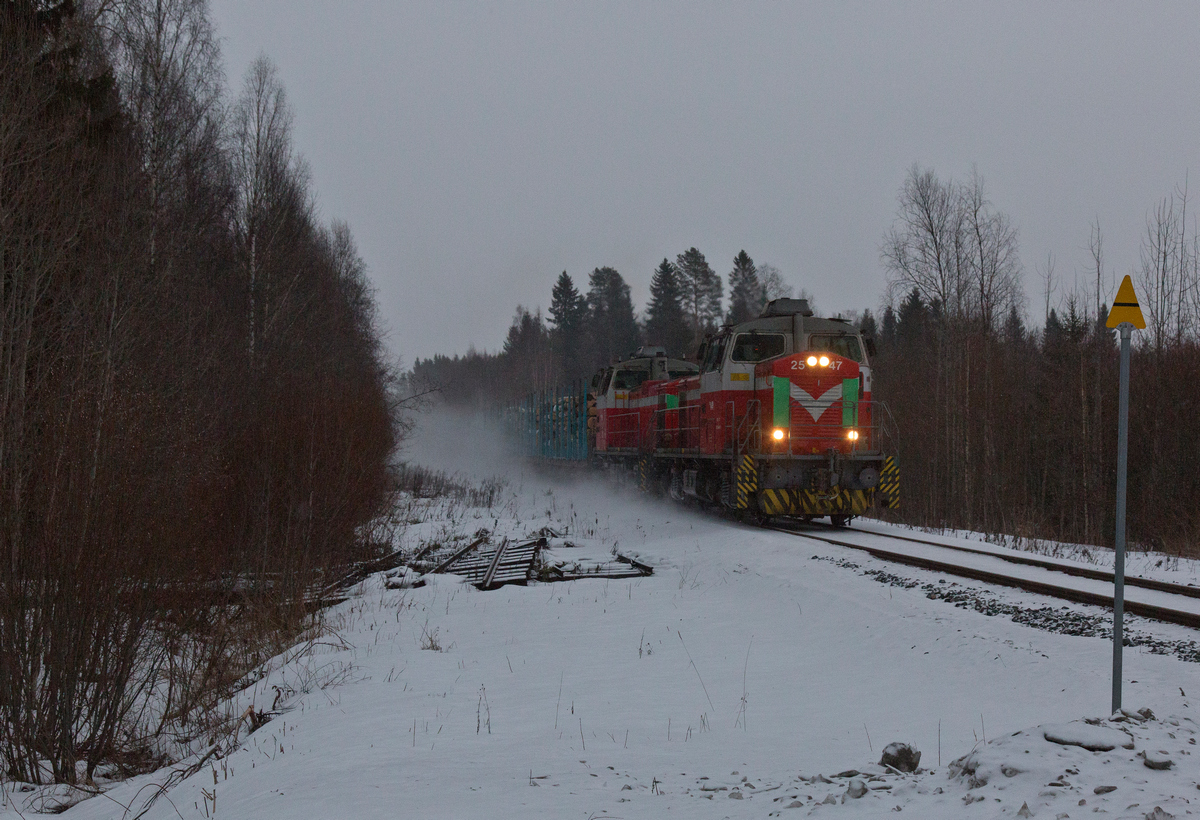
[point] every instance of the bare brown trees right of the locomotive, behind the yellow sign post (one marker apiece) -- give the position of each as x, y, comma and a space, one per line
1006, 429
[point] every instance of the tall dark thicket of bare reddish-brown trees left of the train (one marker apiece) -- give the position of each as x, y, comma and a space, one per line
196, 422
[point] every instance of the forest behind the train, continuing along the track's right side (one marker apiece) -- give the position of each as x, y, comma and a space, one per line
1005, 428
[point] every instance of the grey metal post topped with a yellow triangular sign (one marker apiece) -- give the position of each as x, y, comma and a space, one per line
1125, 316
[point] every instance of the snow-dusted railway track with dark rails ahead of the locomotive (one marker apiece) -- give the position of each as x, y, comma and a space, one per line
1172, 603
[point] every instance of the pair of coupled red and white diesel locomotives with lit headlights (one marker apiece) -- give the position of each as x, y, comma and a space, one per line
777, 420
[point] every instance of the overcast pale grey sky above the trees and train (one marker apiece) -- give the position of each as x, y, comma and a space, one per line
479, 149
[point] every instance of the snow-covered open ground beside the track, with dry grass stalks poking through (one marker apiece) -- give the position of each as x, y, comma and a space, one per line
755, 674
